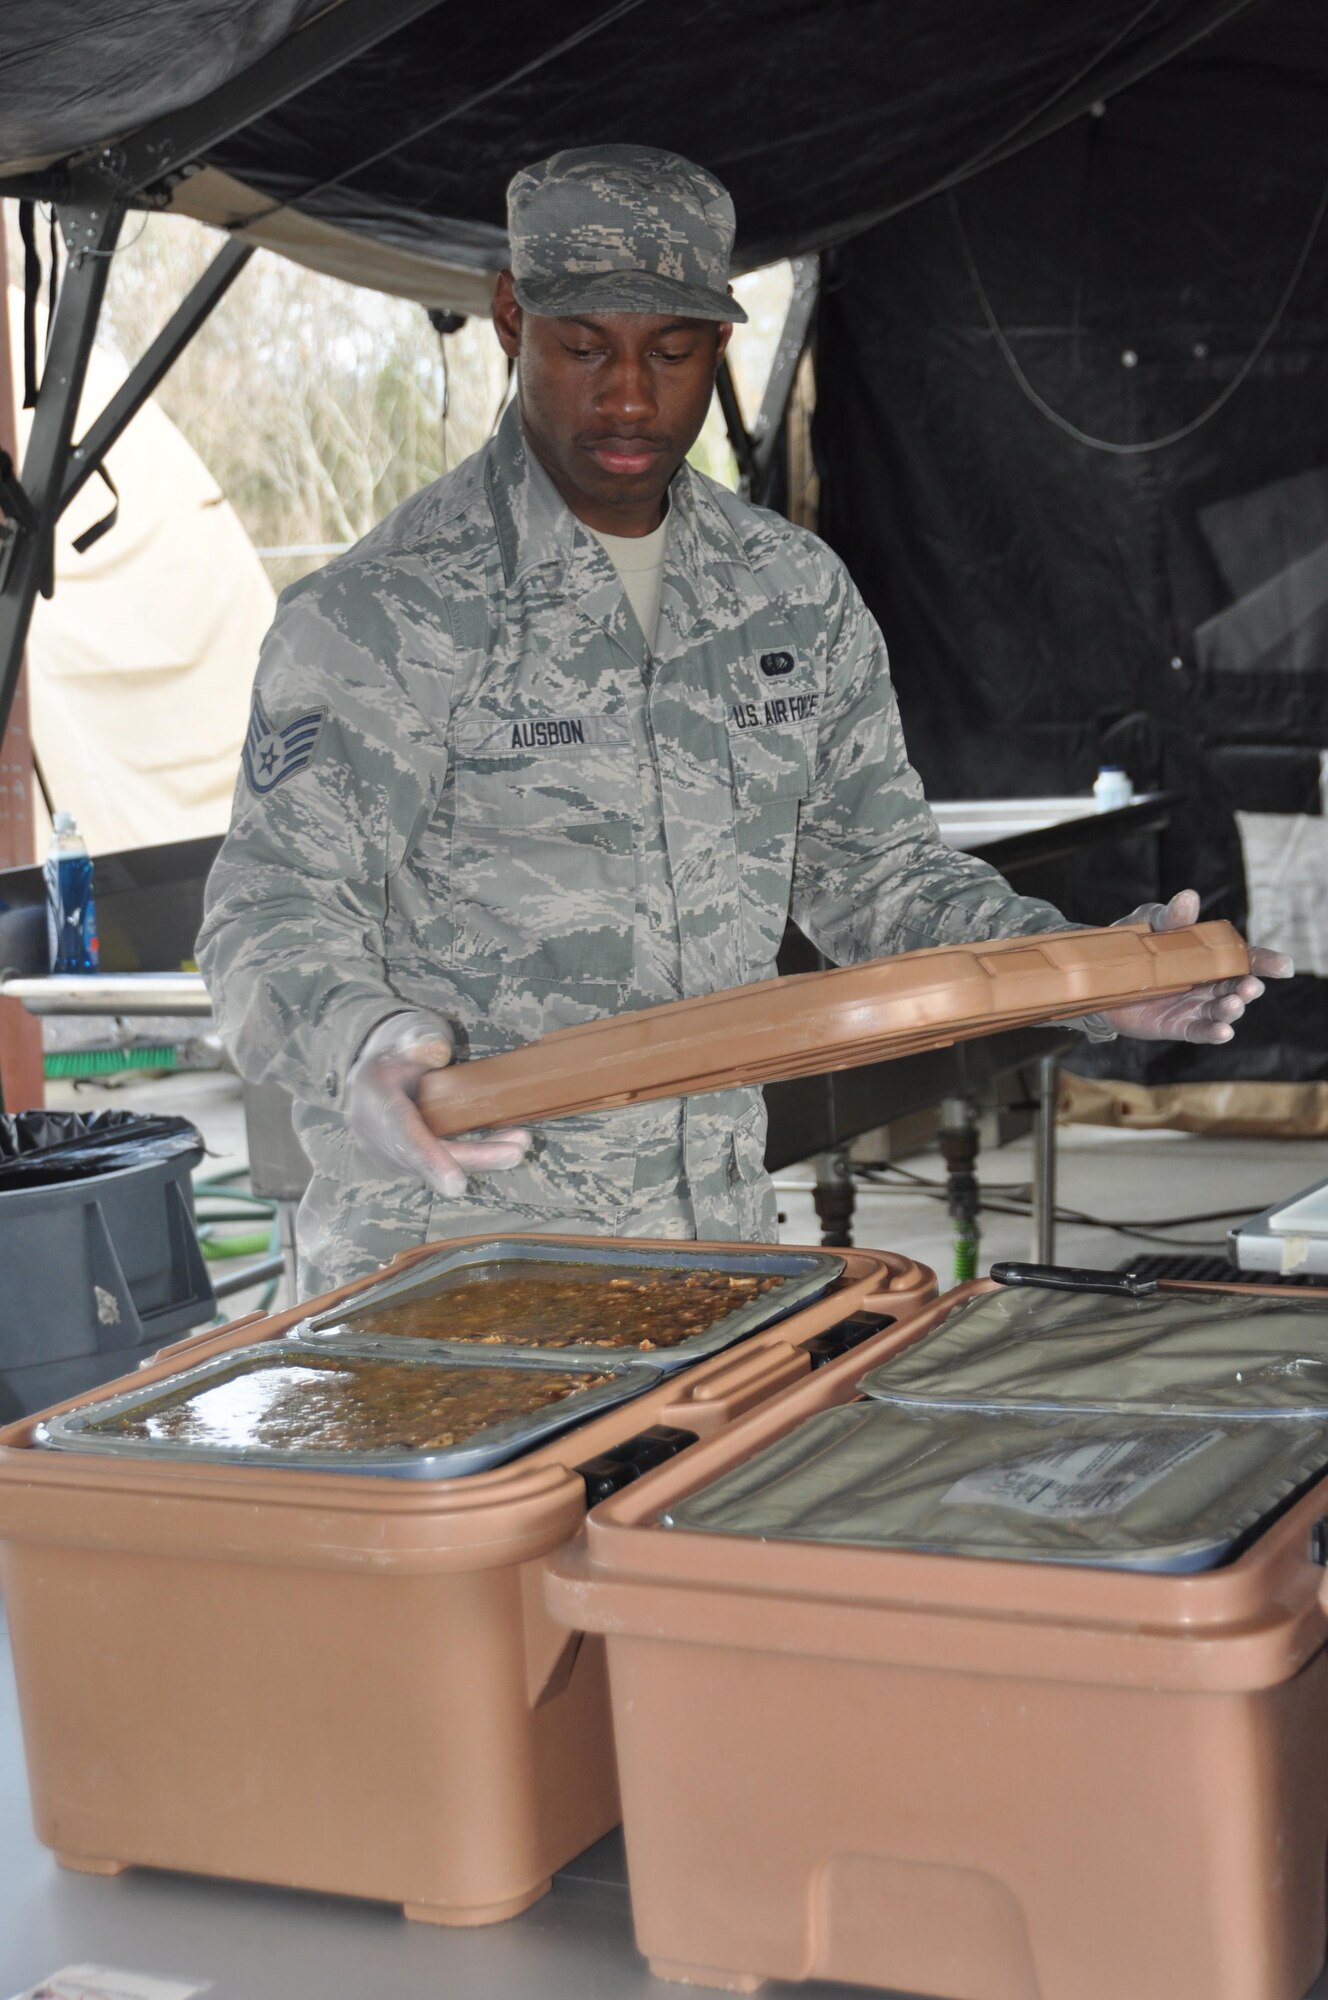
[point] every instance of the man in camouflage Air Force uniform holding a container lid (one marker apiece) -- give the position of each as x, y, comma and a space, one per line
481, 803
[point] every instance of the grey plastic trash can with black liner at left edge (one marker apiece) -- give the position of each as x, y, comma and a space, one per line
99, 1255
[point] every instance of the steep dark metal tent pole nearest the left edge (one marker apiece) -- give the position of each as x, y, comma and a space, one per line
91, 229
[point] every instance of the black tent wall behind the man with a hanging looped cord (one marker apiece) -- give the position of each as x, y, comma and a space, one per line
1041, 599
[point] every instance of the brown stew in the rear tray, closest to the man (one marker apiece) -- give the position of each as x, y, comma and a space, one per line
571, 1305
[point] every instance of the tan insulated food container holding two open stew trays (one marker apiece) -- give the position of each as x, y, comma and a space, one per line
335, 1681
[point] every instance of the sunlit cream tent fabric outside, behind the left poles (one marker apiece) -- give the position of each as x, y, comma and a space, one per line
141, 665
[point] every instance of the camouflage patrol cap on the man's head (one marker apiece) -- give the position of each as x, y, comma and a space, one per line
621, 229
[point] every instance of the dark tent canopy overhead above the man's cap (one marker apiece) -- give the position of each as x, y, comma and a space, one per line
821, 115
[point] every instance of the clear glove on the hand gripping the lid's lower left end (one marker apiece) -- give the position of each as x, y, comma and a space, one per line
383, 1115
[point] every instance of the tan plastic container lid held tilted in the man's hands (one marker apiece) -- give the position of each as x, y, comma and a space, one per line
827, 1021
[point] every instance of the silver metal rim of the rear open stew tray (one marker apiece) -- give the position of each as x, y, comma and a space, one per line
811, 1273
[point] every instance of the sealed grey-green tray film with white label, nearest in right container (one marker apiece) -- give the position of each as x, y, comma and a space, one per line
1129, 1491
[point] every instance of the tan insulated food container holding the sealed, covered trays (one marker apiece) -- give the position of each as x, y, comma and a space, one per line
981, 1779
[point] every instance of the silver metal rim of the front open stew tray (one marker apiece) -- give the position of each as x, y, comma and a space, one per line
77, 1431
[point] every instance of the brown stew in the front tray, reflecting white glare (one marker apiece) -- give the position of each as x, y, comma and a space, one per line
333, 1401
